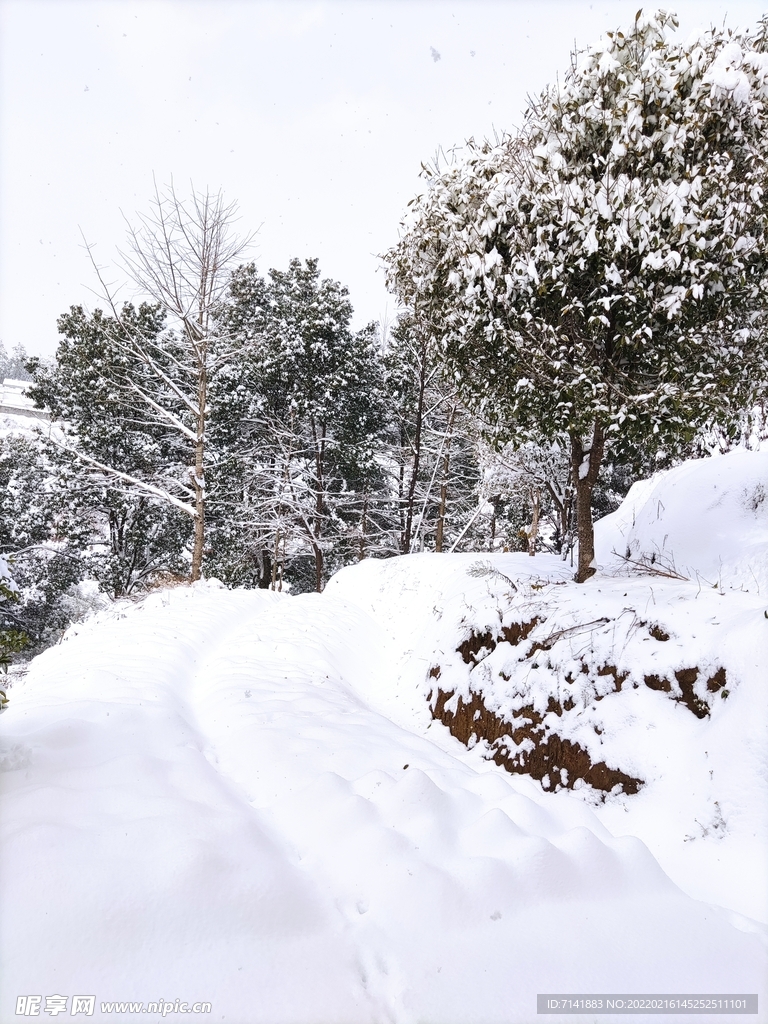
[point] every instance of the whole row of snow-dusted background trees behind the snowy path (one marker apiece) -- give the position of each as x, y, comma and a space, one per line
250, 406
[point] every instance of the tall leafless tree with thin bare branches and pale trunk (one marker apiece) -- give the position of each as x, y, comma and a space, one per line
181, 257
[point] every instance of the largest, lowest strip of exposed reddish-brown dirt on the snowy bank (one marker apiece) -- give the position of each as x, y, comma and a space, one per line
556, 762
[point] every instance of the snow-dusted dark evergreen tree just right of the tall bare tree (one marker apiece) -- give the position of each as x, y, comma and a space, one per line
309, 408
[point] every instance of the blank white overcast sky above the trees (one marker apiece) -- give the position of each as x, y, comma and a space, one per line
314, 116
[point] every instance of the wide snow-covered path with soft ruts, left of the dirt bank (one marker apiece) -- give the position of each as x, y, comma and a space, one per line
201, 802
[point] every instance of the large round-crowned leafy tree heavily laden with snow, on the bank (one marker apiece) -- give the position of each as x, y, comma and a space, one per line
603, 274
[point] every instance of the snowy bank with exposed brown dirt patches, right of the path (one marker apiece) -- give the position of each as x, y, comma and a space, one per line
644, 697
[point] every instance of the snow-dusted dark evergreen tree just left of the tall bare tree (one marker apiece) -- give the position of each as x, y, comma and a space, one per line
104, 481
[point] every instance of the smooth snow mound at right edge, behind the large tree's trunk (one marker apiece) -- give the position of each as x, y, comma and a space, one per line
706, 521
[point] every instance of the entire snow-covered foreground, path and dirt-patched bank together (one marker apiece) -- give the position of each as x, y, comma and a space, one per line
244, 798
